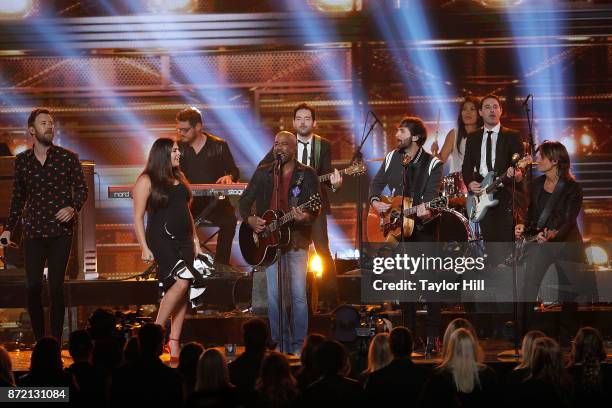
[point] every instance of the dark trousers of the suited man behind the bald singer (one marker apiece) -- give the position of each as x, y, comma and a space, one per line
329, 281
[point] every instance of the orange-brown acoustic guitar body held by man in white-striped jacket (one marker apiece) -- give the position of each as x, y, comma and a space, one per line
385, 227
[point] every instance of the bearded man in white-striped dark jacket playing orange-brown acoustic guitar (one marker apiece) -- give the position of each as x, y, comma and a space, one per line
409, 171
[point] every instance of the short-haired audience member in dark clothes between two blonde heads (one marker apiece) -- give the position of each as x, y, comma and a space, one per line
401, 375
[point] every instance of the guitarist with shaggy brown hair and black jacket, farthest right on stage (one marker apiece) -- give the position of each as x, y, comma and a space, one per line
555, 202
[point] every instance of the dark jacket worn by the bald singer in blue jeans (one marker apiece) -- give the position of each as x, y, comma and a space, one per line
259, 192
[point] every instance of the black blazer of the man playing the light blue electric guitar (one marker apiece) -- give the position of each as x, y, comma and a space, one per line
508, 142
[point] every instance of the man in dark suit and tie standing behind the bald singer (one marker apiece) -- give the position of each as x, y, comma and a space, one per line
315, 151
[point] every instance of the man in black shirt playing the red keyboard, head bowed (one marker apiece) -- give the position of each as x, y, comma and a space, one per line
206, 159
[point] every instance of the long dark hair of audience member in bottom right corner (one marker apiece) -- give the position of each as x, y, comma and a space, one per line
589, 350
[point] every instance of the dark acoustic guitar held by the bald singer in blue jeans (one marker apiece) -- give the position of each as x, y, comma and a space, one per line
259, 249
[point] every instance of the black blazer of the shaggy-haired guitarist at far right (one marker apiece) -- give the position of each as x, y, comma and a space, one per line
564, 213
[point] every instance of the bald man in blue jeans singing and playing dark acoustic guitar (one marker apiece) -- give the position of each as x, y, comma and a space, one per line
298, 186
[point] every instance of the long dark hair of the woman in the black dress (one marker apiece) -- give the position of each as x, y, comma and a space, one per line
162, 174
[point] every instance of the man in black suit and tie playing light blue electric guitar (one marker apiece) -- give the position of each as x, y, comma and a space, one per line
488, 149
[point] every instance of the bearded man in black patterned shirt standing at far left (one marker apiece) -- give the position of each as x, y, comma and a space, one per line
48, 190
